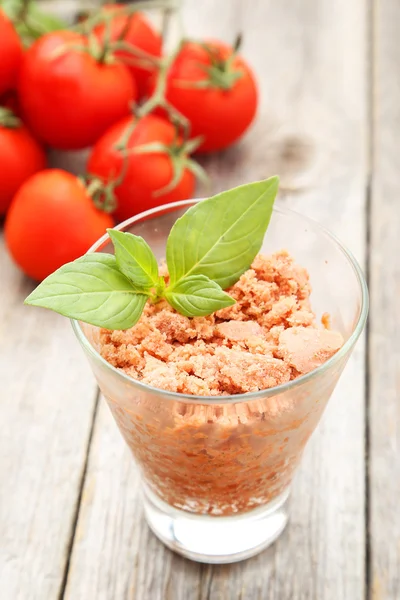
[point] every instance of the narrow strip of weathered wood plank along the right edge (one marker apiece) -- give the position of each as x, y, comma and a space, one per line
384, 355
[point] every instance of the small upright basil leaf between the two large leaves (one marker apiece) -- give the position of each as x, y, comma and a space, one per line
135, 258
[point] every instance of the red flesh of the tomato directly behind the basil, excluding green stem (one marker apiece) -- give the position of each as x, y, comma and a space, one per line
145, 174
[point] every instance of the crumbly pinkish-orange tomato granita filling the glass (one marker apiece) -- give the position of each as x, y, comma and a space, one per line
227, 458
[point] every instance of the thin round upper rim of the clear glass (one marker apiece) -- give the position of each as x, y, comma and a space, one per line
247, 396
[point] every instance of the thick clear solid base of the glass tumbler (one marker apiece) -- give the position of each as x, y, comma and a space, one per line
216, 540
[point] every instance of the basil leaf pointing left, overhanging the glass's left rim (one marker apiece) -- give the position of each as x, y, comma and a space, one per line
93, 290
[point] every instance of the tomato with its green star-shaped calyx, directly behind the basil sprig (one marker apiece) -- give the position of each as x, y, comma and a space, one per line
154, 165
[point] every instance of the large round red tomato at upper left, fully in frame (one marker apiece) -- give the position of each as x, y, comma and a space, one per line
70, 99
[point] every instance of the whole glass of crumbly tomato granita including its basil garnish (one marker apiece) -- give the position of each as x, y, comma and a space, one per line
215, 365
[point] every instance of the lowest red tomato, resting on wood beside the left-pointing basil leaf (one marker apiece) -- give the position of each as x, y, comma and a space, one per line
51, 221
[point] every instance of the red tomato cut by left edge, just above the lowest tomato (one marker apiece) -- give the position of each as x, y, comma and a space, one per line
20, 157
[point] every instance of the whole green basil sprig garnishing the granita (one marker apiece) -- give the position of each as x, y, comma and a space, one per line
208, 249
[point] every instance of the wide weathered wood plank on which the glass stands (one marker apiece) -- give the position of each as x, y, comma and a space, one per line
310, 61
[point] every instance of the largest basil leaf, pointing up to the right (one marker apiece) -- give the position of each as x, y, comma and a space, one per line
219, 237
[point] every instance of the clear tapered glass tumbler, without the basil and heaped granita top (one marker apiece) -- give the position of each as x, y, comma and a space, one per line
216, 472
